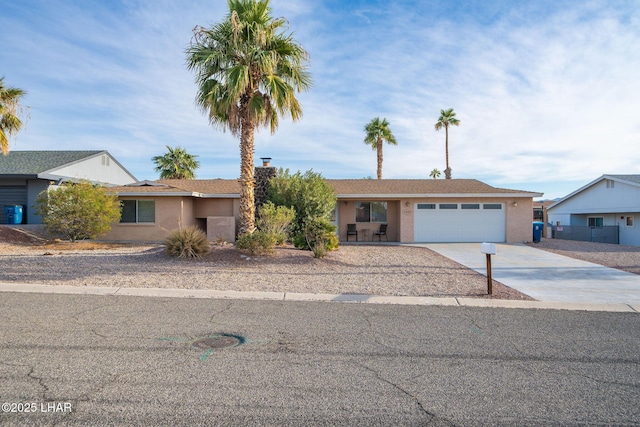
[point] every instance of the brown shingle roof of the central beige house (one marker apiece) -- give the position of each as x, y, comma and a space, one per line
344, 188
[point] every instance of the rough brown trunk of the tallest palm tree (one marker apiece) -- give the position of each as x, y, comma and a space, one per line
247, 181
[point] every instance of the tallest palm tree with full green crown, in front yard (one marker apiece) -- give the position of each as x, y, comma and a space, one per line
247, 71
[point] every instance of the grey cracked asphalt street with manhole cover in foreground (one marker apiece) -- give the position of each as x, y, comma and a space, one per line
123, 360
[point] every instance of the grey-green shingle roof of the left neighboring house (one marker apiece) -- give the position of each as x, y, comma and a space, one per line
36, 162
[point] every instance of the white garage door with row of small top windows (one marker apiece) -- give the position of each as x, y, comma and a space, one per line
459, 222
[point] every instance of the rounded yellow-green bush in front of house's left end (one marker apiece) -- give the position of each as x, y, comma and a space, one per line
78, 211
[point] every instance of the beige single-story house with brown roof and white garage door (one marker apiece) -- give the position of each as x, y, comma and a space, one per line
414, 210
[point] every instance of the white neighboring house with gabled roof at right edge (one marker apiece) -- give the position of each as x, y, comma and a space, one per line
609, 201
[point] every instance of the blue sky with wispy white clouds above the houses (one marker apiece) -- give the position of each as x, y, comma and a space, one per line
547, 92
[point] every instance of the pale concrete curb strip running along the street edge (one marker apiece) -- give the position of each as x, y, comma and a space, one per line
292, 296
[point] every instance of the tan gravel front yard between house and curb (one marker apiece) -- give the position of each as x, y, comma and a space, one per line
353, 269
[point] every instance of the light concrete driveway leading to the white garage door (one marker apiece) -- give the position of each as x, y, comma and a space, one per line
546, 276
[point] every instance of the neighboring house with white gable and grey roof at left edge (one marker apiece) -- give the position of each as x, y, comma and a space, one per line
25, 174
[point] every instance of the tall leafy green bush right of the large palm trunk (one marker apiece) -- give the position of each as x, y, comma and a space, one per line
309, 194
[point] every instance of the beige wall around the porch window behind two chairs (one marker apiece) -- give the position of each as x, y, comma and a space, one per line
347, 215
